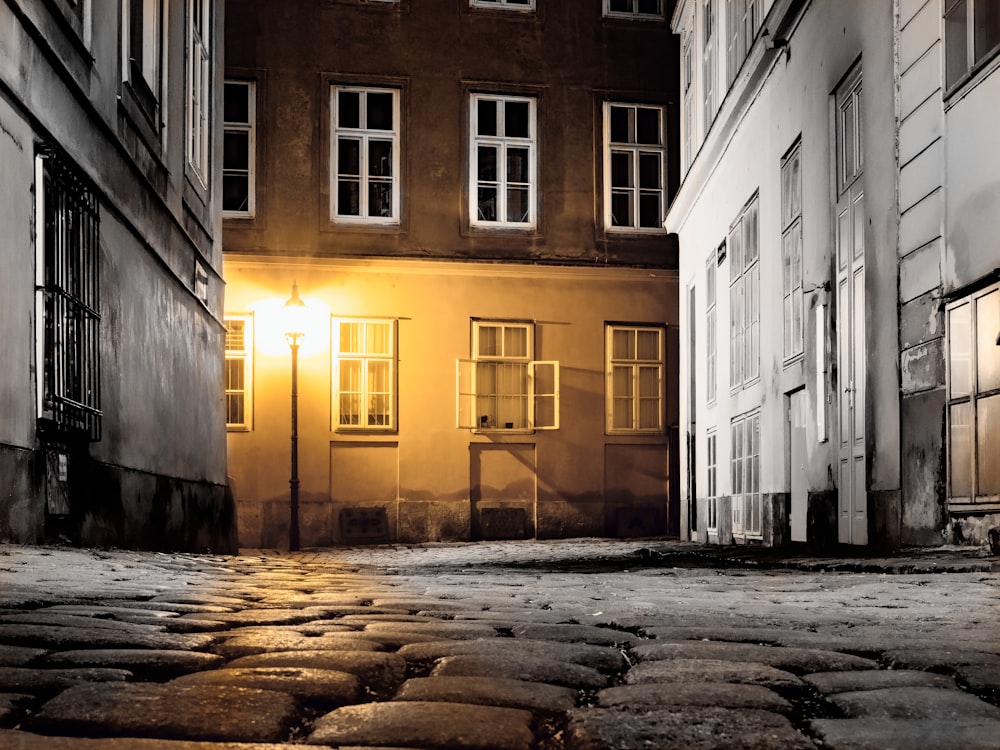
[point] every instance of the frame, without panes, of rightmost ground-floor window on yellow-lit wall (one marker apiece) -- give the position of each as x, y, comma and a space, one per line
636, 366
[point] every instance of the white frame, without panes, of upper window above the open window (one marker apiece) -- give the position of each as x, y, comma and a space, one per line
502, 143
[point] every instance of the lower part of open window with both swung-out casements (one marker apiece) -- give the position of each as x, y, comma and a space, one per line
482, 406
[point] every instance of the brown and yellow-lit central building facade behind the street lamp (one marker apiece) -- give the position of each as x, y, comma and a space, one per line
469, 197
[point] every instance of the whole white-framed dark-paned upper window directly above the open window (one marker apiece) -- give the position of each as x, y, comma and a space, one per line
503, 161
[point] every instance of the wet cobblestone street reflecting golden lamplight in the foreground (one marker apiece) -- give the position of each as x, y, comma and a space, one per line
551, 645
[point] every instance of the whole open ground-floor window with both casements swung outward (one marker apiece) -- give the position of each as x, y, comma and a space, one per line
501, 387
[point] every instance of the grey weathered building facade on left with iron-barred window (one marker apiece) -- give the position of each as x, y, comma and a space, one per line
110, 272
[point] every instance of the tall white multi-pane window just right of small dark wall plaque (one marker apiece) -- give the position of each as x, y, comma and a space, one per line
744, 297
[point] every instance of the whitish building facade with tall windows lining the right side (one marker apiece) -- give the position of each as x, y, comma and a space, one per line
833, 155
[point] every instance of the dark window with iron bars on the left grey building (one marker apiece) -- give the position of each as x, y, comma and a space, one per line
68, 300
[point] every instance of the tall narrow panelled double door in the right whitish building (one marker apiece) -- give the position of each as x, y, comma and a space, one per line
853, 500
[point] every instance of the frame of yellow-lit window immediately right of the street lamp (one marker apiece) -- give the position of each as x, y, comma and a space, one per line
364, 395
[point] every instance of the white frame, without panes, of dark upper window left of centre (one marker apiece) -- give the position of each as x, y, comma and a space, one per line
365, 136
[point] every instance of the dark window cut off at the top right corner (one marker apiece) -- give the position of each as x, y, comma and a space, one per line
971, 36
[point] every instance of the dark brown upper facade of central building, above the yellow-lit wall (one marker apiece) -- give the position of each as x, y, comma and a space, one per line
524, 130
